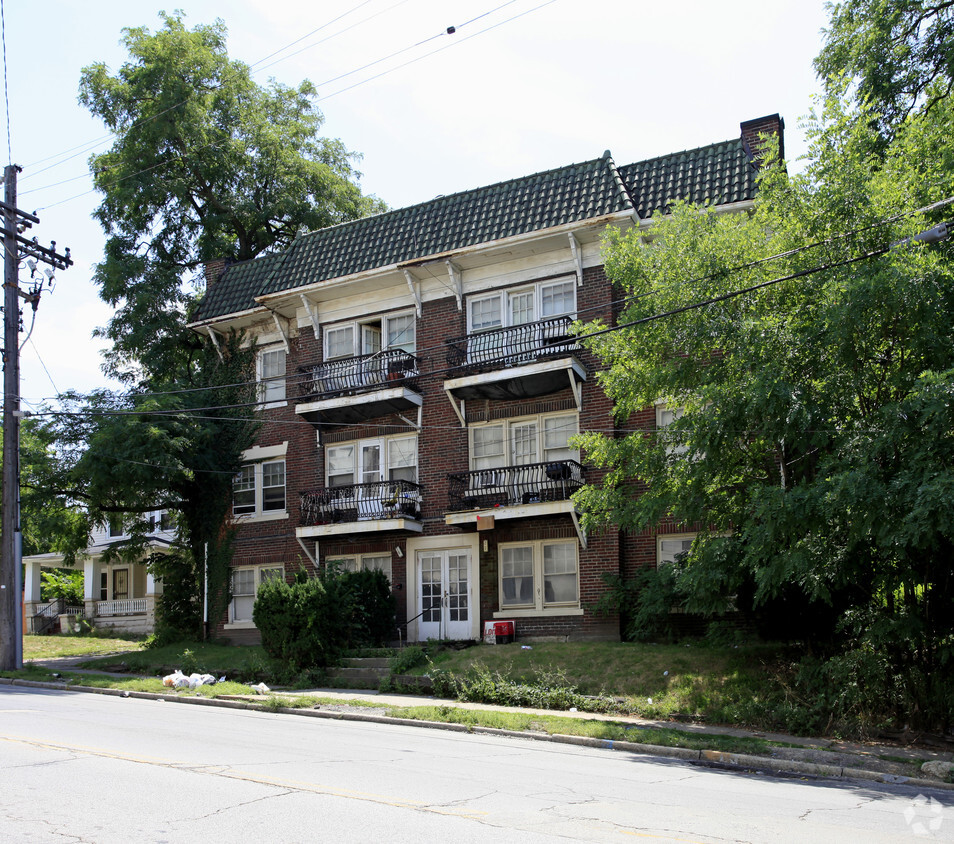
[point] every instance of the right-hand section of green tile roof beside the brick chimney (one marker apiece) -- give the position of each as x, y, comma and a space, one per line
712, 175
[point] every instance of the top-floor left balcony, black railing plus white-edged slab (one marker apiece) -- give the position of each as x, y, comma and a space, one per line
353, 390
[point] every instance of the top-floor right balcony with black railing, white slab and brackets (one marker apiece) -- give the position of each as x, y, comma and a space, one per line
521, 361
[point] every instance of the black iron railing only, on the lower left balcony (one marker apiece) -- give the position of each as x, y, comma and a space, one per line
359, 502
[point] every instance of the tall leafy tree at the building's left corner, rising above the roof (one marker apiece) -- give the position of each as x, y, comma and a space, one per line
206, 164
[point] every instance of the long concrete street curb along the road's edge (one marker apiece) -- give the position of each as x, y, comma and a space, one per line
711, 758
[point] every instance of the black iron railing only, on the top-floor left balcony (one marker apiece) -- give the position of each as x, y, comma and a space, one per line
348, 376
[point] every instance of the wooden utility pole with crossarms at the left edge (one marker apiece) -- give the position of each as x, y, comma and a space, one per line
11, 574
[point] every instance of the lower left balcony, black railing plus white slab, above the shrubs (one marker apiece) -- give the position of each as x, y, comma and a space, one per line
361, 508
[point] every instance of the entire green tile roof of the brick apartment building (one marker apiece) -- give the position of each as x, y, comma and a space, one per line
718, 173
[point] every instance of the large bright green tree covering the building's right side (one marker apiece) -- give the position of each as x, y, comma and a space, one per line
815, 453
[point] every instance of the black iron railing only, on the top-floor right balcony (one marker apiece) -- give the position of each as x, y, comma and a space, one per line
511, 346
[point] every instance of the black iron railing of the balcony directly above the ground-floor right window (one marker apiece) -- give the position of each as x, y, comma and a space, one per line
508, 486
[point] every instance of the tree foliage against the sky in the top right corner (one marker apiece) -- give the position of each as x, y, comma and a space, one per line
898, 53
